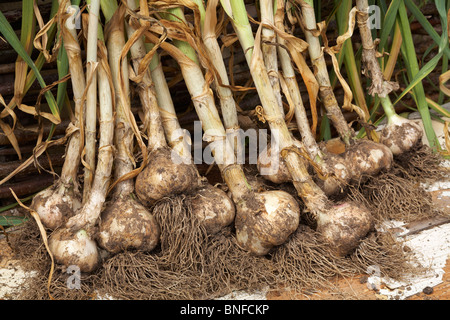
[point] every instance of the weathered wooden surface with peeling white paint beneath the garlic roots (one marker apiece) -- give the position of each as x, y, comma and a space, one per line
357, 287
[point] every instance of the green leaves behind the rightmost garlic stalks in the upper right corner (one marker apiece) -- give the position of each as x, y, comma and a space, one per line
401, 13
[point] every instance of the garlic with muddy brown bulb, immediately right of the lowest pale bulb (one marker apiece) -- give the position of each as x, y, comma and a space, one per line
125, 223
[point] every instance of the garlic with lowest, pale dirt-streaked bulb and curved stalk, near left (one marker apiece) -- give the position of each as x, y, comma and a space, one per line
73, 245
